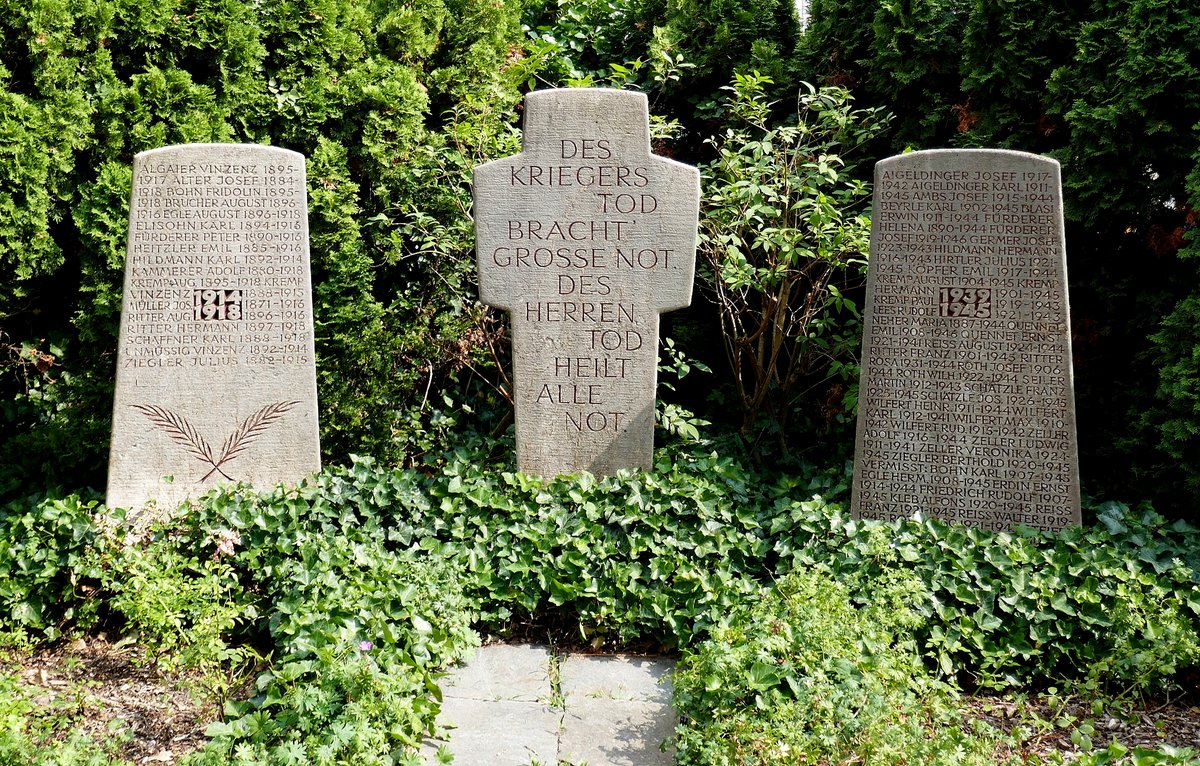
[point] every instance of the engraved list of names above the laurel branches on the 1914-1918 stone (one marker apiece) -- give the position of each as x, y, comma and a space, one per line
218, 267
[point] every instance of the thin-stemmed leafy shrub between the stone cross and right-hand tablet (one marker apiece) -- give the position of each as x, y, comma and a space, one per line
784, 240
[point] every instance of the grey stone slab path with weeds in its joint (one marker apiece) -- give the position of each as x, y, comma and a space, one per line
525, 707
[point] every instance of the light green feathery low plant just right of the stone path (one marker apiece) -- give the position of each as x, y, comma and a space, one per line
803, 677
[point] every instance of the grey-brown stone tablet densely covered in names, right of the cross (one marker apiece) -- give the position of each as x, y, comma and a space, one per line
967, 404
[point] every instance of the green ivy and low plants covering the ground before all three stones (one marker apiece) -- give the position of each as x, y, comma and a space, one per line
341, 602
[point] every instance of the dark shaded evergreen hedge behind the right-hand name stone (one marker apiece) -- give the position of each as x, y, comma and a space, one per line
1109, 89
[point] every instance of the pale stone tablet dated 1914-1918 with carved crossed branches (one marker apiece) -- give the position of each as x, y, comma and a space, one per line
215, 378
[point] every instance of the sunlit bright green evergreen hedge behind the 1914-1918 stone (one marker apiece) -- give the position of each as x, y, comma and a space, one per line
358, 89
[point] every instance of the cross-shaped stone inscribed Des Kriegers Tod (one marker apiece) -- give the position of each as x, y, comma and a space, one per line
585, 238
